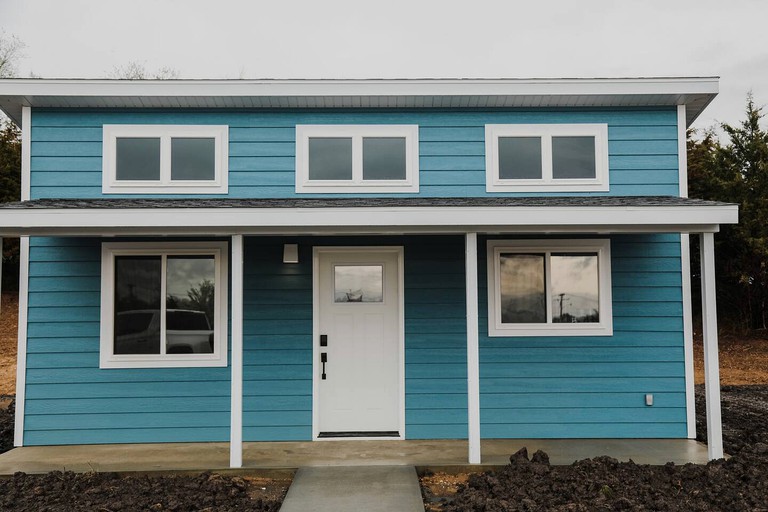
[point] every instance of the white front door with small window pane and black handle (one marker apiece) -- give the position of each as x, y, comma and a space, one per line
358, 343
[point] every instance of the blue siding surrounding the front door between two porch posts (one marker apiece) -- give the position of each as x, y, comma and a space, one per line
277, 360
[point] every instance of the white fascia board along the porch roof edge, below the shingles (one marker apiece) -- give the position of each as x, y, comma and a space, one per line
443, 219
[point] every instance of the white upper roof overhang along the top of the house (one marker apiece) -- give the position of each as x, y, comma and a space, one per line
695, 92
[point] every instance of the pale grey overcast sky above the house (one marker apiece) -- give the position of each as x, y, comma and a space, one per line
404, 39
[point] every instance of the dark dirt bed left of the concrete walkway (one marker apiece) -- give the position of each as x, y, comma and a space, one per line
58, 491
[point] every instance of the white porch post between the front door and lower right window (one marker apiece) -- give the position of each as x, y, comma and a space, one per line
473, 351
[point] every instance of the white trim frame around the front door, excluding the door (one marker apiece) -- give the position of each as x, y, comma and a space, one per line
316, 251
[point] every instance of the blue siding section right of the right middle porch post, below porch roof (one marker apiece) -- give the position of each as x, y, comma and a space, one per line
577, 387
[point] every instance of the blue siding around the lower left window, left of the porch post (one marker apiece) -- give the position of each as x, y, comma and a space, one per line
69, 400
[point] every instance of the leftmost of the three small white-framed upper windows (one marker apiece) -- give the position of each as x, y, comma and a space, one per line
165, 159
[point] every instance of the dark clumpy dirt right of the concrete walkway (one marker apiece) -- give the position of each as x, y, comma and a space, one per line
603, 483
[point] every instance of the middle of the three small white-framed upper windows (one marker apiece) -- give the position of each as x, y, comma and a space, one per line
357, 158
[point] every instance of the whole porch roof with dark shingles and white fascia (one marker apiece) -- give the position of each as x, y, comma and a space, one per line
209, 216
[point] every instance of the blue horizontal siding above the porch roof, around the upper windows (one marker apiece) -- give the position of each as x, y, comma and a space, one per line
67, 147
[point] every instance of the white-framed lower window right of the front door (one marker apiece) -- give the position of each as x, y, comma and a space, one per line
549, 288
